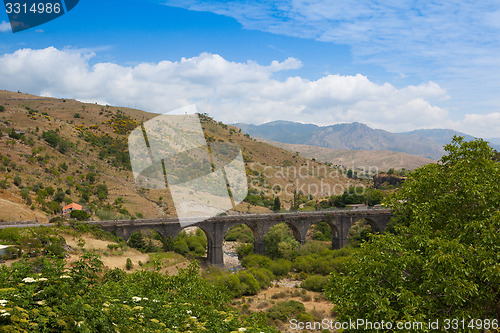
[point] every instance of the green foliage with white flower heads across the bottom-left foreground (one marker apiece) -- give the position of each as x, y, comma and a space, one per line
78, 300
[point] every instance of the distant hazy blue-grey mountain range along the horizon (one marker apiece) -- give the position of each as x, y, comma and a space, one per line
426, 143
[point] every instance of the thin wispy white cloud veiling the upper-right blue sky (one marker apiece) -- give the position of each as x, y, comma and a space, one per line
453, 43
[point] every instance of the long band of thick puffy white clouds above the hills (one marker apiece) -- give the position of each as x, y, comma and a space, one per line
229, 91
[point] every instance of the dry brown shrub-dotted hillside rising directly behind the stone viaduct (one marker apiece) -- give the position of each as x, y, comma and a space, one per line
65, 151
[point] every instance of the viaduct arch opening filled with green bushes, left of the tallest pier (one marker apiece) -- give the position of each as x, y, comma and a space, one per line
192, 243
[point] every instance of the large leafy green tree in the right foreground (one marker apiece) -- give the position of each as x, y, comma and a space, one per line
443, 261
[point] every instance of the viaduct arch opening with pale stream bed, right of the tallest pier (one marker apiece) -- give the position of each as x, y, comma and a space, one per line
238, 242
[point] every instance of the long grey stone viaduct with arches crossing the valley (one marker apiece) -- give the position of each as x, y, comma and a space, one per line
215, 228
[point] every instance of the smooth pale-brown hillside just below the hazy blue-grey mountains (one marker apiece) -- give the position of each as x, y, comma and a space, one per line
367, 159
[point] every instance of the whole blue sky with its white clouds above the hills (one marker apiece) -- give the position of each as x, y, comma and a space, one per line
400, 65
